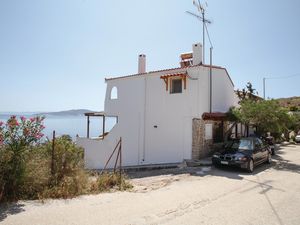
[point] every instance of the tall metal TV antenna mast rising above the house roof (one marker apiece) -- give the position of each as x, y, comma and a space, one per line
201, 9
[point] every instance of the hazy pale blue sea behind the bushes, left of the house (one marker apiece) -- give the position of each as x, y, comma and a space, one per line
70, 125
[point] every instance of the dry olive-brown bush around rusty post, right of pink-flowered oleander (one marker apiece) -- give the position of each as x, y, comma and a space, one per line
67, 177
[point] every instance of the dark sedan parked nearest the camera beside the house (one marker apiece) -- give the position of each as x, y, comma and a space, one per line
245, 153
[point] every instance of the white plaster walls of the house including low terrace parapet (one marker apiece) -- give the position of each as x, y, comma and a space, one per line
143, 103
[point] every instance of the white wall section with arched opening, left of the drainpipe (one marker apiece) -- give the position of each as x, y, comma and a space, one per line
129, 107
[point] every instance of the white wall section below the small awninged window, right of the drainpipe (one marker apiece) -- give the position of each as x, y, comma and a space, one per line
168, 143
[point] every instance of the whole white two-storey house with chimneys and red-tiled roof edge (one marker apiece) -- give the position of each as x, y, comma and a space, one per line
163, 116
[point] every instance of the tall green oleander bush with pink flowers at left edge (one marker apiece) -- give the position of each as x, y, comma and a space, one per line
16, 137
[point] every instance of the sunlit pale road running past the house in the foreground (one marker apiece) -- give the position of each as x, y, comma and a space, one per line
271, 195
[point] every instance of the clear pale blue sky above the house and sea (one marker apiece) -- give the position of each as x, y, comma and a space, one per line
55, 54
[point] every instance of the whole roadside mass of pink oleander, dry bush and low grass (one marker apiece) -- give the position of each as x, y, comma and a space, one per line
34, 169
